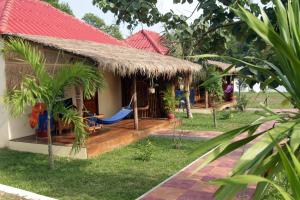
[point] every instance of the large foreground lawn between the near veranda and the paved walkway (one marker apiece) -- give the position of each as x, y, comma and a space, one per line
114, 175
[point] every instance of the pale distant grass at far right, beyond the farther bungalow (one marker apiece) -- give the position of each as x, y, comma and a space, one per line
274, 101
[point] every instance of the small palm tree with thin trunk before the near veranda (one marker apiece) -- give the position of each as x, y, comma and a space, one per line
46, 88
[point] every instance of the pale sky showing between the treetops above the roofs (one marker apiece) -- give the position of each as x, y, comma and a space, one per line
80, 7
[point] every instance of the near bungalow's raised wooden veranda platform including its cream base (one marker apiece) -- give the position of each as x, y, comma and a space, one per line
101, 141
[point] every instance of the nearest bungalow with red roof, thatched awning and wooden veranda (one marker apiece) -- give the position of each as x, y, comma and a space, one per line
63, 38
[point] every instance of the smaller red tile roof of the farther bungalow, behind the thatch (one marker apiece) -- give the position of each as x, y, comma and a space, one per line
147, 40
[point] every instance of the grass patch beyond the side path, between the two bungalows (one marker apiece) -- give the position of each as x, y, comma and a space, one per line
204, 122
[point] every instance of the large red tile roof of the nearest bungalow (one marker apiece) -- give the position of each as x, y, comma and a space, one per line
35, 17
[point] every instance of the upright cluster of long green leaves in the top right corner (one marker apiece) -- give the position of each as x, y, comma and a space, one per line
285, 43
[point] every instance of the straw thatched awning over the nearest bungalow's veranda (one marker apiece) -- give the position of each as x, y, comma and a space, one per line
117, 59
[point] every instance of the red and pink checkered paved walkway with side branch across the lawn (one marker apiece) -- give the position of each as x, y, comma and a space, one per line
188, 185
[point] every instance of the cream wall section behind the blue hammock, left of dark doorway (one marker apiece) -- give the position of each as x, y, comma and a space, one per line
110, 98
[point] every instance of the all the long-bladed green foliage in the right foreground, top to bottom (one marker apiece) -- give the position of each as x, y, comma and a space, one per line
260, 159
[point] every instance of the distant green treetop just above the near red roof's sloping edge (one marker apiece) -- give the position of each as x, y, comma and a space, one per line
99, 23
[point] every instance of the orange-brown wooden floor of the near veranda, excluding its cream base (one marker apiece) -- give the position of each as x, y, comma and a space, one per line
110, 136
